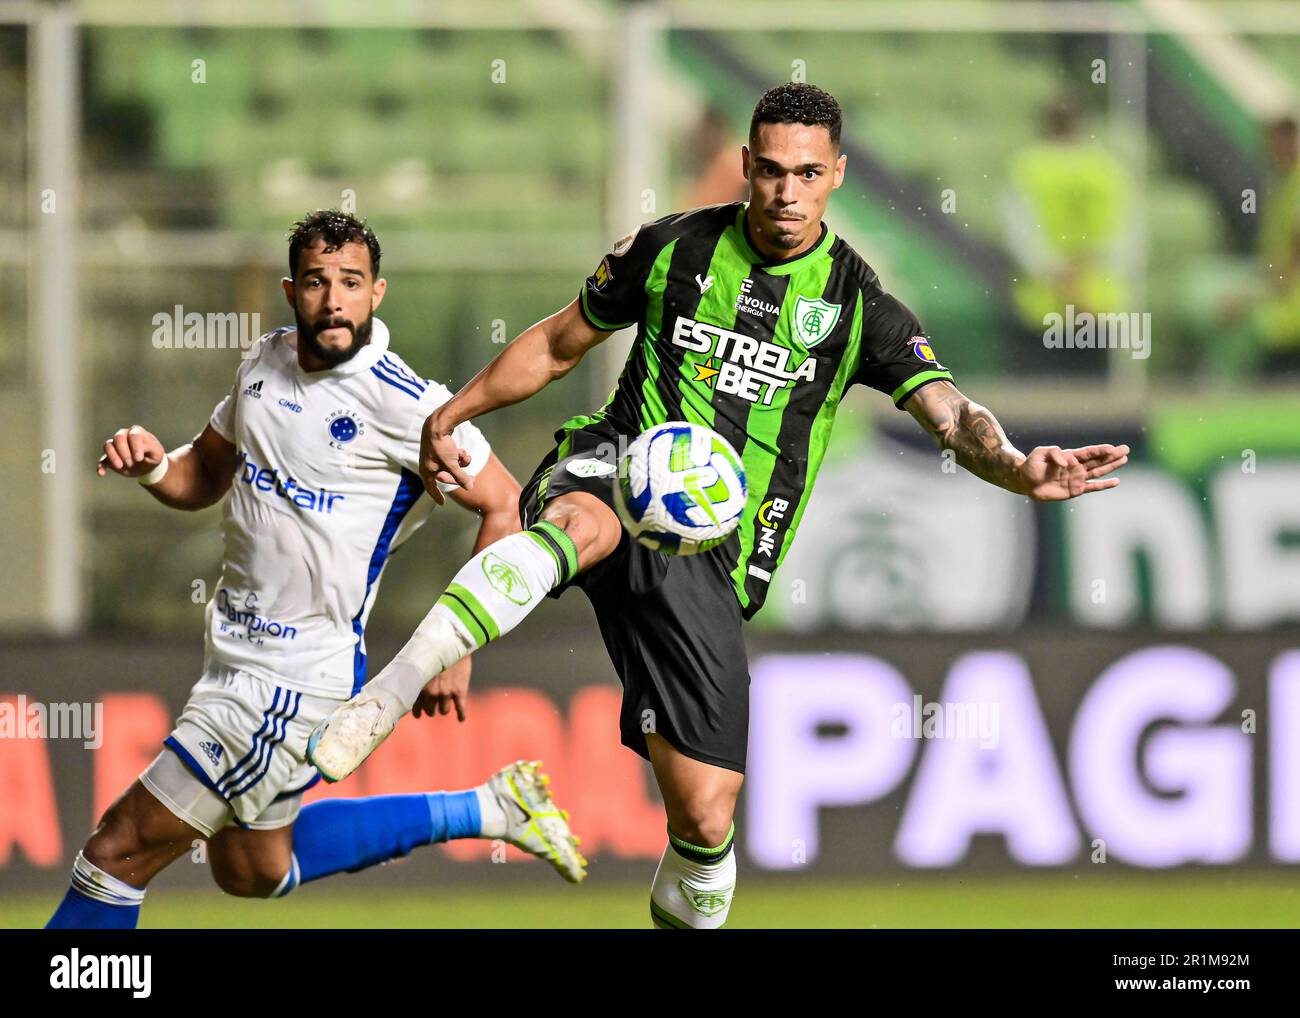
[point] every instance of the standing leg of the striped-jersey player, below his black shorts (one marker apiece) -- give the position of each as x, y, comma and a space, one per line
696, 881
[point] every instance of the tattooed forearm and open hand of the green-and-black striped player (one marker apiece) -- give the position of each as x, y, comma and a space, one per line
1048, 474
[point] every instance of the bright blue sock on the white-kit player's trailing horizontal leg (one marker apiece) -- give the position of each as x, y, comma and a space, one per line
352, 834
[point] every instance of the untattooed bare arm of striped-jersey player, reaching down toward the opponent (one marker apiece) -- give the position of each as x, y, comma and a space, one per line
539, 356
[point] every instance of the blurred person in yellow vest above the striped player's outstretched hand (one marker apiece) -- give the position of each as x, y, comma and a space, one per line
1065, 226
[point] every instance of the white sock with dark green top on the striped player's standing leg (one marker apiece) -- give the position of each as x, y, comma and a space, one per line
694, 894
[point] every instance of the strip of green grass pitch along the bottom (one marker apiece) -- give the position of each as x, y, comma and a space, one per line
1033, 900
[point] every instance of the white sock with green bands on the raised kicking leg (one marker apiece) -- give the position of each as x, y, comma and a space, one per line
491, 596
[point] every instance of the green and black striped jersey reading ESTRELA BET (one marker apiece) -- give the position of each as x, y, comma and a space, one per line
761, 352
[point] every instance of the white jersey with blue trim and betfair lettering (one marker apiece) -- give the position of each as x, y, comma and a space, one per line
326, 489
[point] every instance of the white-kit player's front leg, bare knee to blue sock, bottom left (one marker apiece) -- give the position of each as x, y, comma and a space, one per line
135, 842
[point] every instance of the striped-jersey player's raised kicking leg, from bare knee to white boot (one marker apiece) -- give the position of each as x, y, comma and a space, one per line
489, 596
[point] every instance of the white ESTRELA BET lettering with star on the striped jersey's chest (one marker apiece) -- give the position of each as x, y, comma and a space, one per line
753, 370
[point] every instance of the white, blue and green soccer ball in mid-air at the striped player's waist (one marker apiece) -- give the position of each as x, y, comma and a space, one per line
681, 489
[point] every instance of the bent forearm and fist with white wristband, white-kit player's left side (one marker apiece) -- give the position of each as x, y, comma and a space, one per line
197, 475
